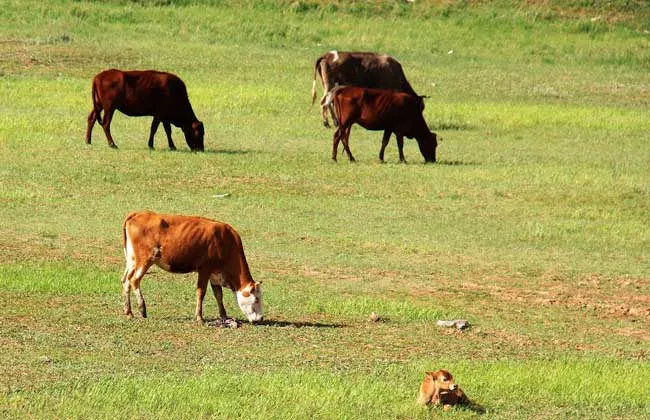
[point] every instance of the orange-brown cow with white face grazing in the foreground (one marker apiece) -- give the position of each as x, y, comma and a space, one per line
184, 244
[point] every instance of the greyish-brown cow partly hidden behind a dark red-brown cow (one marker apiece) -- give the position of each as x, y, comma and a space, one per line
363, 69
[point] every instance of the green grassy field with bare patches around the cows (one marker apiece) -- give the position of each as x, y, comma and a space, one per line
534, 224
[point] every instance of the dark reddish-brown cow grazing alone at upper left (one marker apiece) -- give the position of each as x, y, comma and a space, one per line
139, 93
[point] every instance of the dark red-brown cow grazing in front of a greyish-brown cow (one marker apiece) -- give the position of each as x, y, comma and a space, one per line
381, 109
